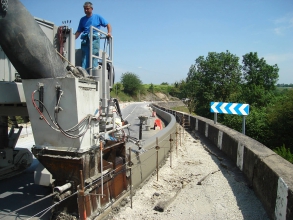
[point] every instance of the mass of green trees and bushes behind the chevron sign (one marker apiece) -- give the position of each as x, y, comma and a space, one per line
220, 77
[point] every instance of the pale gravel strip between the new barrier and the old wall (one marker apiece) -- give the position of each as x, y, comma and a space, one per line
202, 184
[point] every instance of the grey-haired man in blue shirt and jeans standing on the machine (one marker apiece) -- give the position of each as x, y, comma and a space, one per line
84, 27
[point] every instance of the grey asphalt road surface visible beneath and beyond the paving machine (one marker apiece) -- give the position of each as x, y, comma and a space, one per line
19, 191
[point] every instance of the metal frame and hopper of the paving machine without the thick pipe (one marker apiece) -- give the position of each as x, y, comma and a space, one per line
73, 120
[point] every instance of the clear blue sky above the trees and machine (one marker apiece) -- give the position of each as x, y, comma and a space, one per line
158, 40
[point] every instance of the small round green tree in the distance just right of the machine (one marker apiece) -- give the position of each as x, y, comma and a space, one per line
131, 83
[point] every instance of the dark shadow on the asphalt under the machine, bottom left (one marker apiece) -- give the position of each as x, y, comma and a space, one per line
19, 191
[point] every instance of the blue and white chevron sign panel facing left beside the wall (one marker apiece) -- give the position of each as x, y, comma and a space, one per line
230, 108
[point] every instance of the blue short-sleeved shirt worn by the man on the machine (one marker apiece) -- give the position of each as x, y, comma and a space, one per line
95, 20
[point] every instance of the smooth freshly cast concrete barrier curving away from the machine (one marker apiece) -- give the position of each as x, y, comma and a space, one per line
144, 164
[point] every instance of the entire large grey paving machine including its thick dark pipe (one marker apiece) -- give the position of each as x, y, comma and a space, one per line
77, 140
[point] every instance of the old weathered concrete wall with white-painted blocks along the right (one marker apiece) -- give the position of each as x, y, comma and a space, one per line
270, 176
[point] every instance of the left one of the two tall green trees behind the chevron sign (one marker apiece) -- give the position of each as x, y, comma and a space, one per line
214, 78
